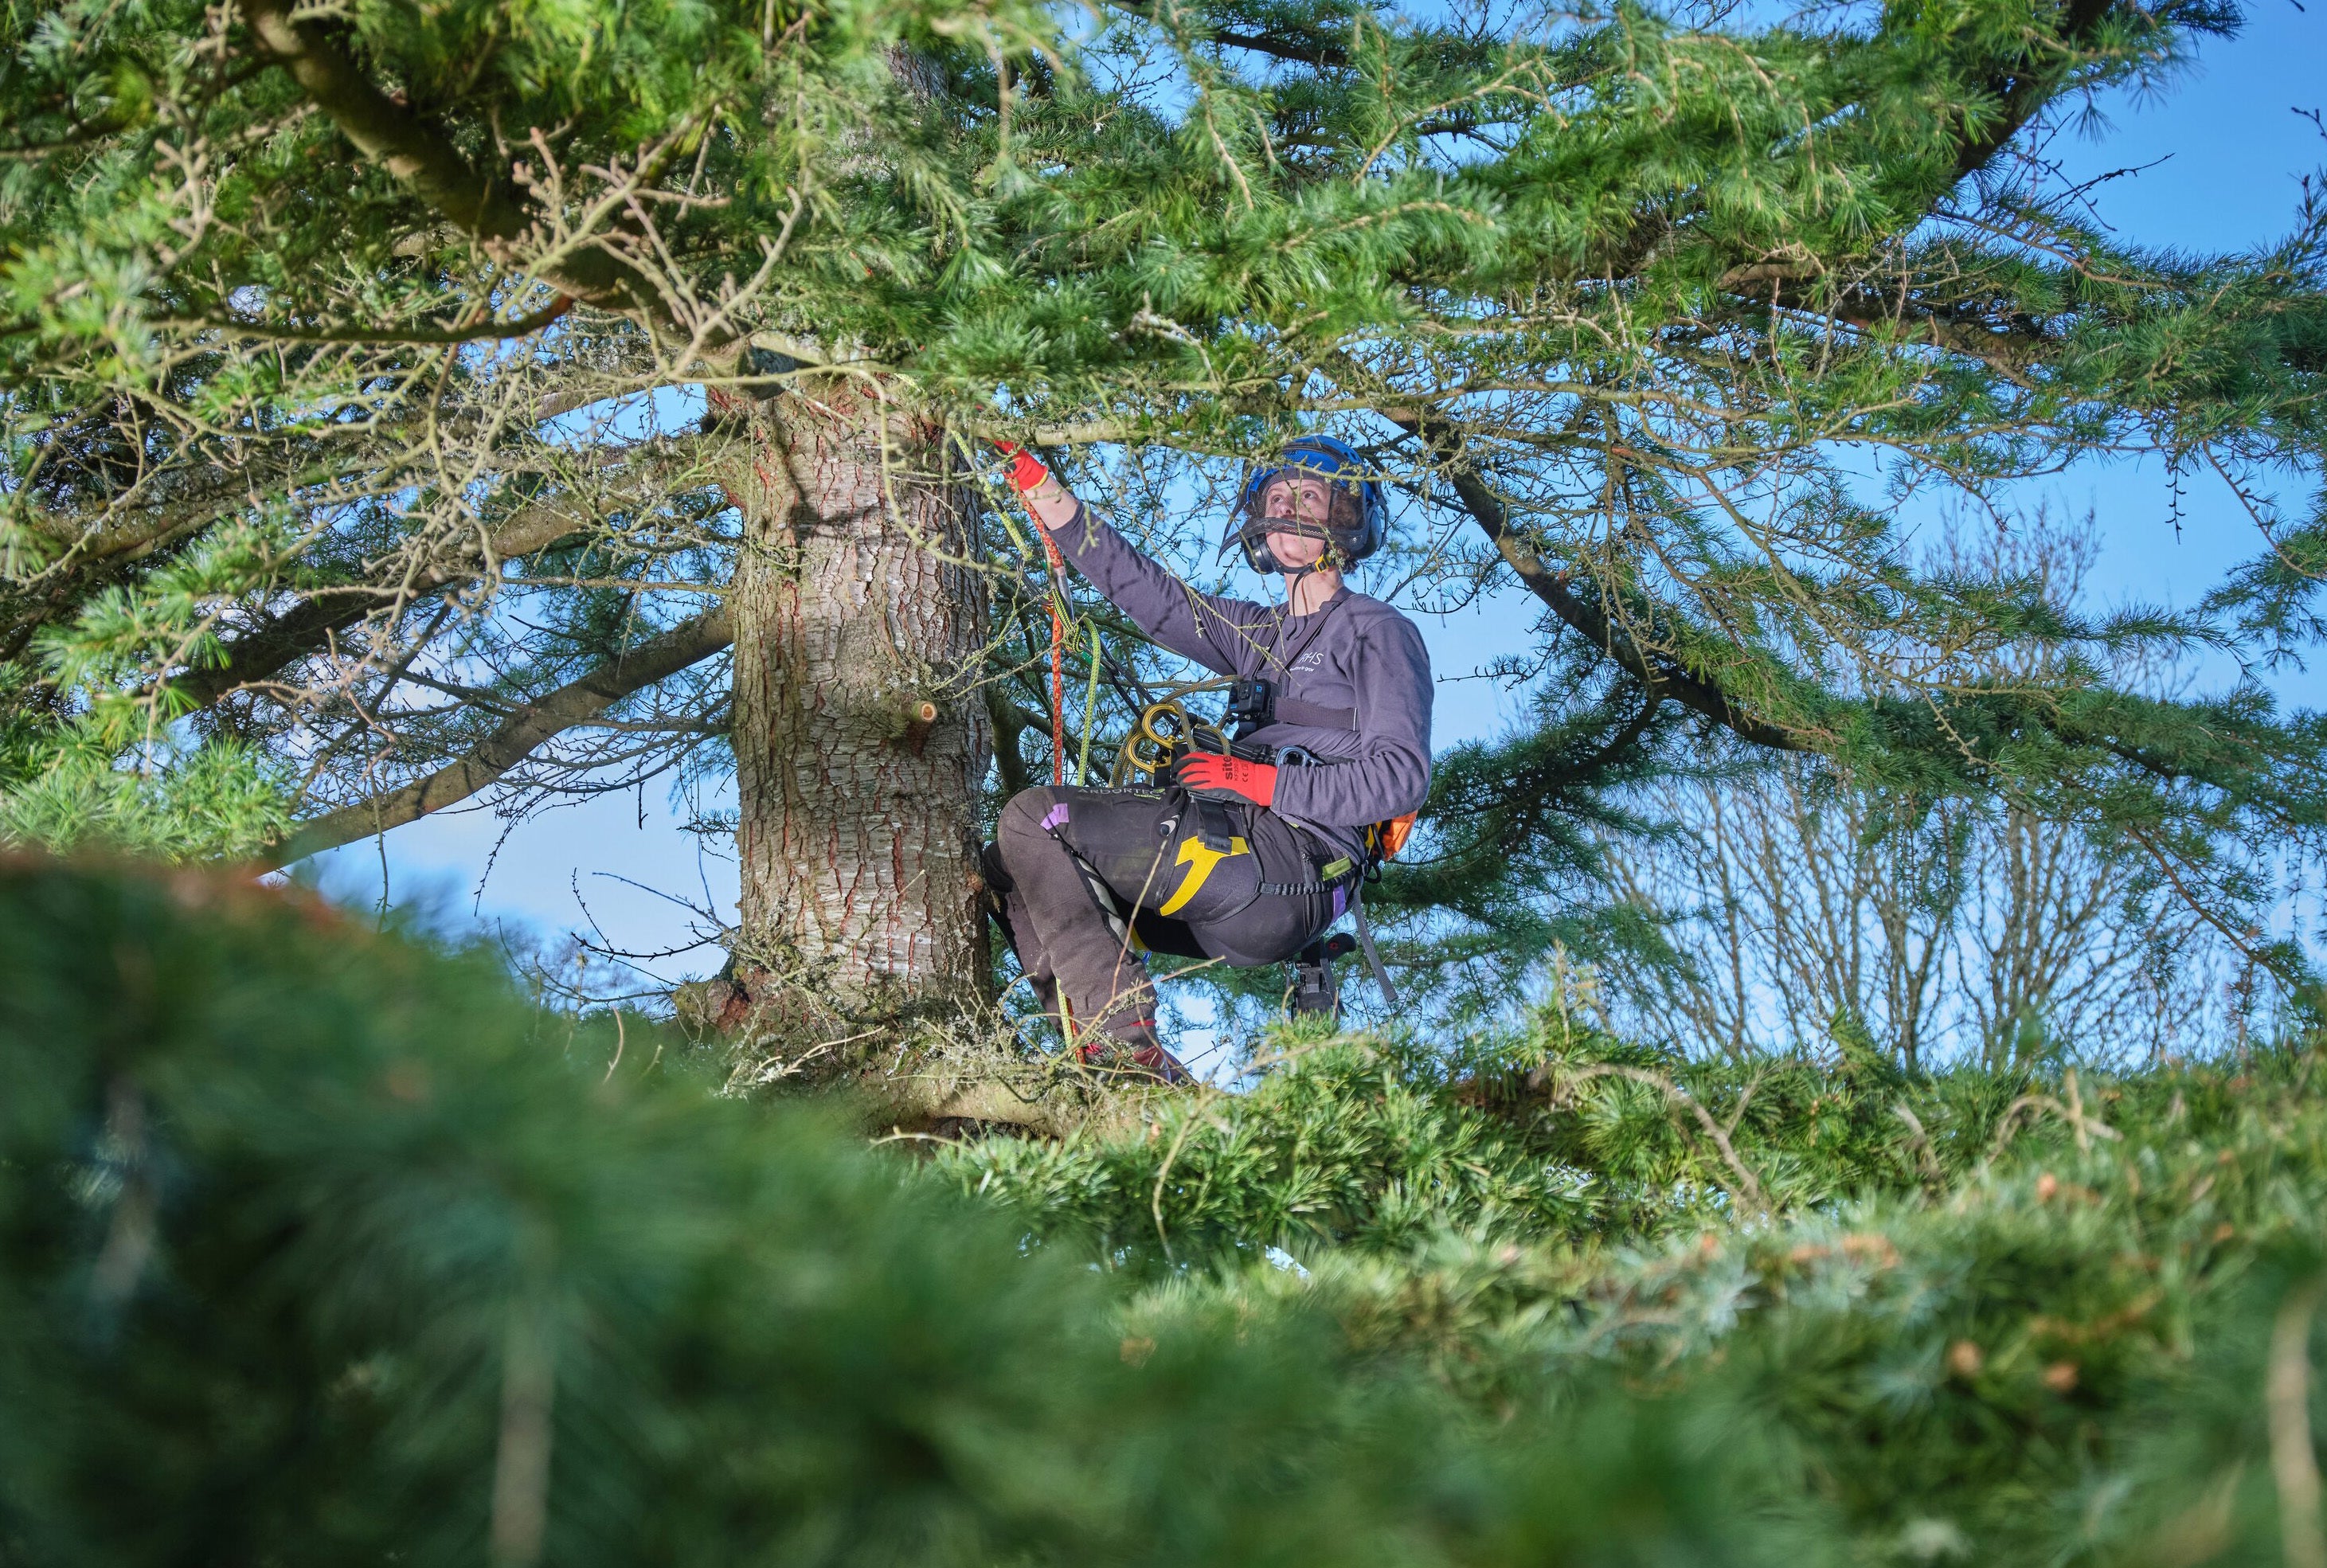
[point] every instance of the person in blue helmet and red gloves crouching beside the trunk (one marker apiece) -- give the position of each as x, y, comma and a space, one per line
1244, 857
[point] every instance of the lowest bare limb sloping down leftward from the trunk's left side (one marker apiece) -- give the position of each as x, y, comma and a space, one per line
525, 729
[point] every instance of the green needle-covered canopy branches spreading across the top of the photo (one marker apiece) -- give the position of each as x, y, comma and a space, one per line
385, 385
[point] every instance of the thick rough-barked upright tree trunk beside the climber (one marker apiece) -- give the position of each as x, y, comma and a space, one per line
860, 734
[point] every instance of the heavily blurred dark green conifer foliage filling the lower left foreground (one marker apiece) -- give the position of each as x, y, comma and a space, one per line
315, 1243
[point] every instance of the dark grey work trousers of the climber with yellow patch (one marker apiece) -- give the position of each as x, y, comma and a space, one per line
1174, 874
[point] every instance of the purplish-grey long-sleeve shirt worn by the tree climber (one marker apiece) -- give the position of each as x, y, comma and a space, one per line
1355, 653
